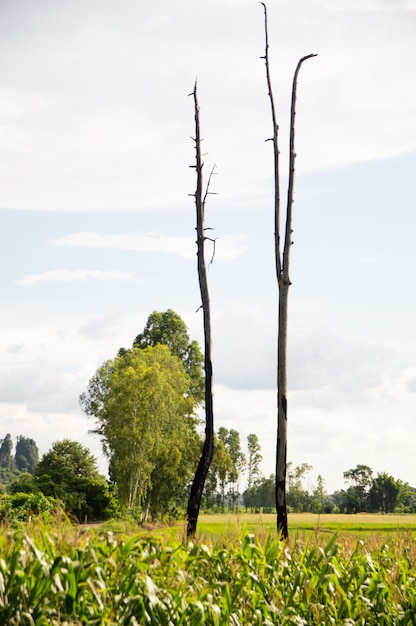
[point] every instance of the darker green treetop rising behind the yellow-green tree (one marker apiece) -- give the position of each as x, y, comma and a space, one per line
169, 329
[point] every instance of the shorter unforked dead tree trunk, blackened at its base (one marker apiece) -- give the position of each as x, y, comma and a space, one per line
197, 488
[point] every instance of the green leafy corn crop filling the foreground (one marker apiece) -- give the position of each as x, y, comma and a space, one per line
58, 575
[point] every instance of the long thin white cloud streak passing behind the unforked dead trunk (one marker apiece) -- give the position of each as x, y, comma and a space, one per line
227, 246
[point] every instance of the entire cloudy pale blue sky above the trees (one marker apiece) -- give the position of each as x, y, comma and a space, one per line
97, 221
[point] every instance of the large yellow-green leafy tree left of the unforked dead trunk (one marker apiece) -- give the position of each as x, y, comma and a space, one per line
144, 414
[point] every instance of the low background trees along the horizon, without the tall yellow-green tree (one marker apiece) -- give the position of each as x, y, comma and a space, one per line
66, 478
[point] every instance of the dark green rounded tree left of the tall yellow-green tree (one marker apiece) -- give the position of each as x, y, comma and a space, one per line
69, 471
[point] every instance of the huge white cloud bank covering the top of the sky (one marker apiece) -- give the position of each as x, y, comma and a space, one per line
127, 147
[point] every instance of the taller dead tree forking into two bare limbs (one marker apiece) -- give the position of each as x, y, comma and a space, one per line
283, 281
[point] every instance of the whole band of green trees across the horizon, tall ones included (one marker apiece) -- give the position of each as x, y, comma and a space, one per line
145, 404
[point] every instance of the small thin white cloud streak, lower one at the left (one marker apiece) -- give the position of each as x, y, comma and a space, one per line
70, 276
